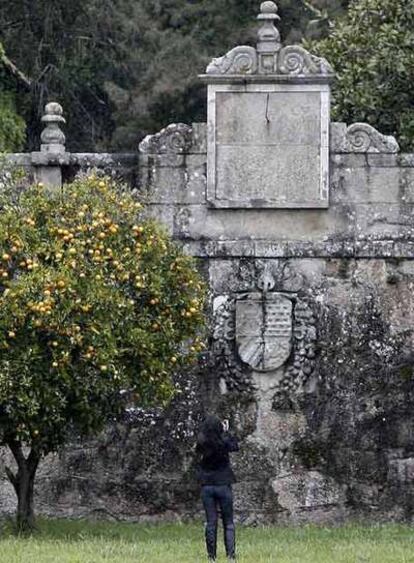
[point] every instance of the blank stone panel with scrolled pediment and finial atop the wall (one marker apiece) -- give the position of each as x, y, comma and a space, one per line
268, 124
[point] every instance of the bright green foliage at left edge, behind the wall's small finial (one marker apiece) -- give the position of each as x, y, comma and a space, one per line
12, 126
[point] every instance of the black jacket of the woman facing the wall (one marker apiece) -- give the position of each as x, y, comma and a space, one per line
214, 465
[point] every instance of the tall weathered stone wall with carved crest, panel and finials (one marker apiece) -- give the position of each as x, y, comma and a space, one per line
311, 313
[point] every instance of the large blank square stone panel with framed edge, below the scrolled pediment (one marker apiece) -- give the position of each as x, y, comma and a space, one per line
268, 146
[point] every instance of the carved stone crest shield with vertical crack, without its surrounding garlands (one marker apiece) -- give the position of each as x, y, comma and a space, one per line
264, 330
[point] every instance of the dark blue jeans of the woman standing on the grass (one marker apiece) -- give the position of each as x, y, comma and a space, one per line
215, 498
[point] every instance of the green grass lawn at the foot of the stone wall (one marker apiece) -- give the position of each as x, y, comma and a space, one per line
85, 542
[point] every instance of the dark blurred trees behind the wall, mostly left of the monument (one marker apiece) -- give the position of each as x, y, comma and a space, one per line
124, 68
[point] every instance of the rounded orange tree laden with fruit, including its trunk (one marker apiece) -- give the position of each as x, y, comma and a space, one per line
98, 308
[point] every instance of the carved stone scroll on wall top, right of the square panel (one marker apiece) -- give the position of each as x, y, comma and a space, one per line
361, 138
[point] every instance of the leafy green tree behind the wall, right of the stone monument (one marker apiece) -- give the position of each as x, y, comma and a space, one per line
372, 51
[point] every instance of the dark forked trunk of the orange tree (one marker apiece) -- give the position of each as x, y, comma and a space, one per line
23, 483
